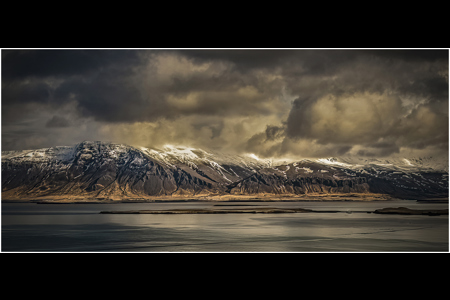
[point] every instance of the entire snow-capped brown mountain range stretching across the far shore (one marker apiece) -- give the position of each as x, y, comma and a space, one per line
114, 171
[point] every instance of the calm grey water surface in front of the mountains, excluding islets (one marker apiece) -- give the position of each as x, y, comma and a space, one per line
29, 227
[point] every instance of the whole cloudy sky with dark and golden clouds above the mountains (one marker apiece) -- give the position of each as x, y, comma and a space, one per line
273, 103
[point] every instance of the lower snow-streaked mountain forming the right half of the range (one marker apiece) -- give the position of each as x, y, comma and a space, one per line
333, 176
